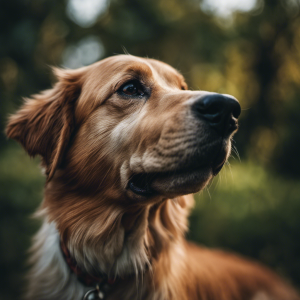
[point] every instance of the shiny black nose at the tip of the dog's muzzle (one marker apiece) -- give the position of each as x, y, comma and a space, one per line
221, 112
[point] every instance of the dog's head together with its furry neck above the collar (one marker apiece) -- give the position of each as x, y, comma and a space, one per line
117, 139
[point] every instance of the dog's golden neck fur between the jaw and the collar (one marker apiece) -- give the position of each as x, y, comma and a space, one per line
113, 239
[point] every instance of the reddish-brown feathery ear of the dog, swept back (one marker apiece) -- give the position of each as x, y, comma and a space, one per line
45, 122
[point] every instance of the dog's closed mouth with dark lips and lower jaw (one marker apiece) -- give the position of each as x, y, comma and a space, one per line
178, 182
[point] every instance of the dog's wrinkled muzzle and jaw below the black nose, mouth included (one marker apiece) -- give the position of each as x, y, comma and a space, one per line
182, 160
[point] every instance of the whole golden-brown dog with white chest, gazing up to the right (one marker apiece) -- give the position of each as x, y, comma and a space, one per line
124, 144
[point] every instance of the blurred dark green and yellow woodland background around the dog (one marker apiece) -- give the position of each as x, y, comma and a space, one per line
253, 206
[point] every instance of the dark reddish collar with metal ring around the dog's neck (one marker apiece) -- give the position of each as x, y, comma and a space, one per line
101, 284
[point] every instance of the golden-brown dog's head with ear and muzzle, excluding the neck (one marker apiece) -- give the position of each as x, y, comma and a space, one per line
130, 123
